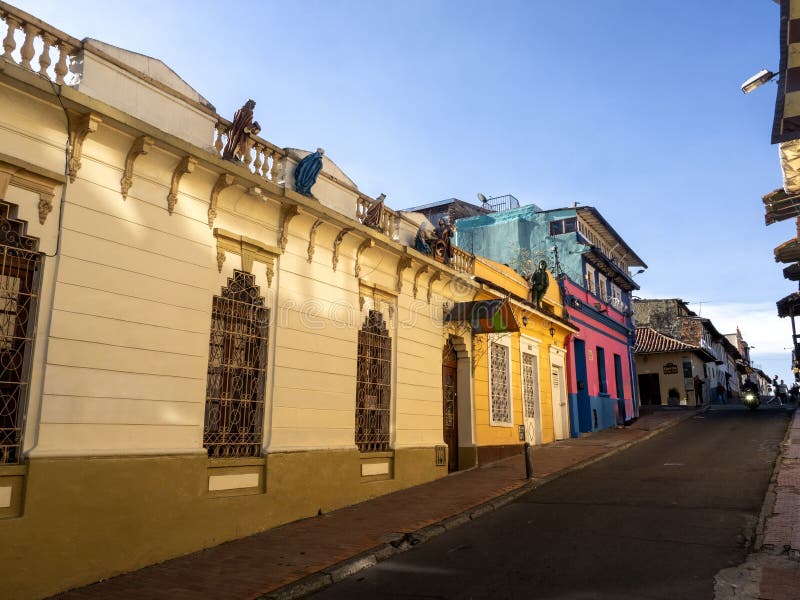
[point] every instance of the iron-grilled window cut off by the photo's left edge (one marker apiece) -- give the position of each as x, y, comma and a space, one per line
20, 266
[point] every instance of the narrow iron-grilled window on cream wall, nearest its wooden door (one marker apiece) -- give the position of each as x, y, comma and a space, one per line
373, 385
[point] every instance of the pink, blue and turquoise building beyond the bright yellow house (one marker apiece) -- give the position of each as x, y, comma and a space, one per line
592, 264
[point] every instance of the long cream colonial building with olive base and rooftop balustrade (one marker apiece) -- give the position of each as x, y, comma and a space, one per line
203, 334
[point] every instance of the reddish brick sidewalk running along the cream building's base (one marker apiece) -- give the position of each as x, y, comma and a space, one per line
265, 562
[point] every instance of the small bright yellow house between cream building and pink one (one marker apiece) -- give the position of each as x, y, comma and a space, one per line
520, 374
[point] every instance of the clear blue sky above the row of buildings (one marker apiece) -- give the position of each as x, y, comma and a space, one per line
633, 107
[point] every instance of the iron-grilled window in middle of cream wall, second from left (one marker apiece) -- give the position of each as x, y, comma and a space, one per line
237, 370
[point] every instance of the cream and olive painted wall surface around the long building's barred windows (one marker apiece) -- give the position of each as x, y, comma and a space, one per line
121, 355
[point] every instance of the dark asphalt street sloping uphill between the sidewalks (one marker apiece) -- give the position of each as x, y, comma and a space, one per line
658, 520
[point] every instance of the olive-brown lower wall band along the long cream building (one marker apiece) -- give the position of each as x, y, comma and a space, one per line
86, 519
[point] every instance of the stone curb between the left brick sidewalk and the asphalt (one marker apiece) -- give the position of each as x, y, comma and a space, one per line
401, 542
